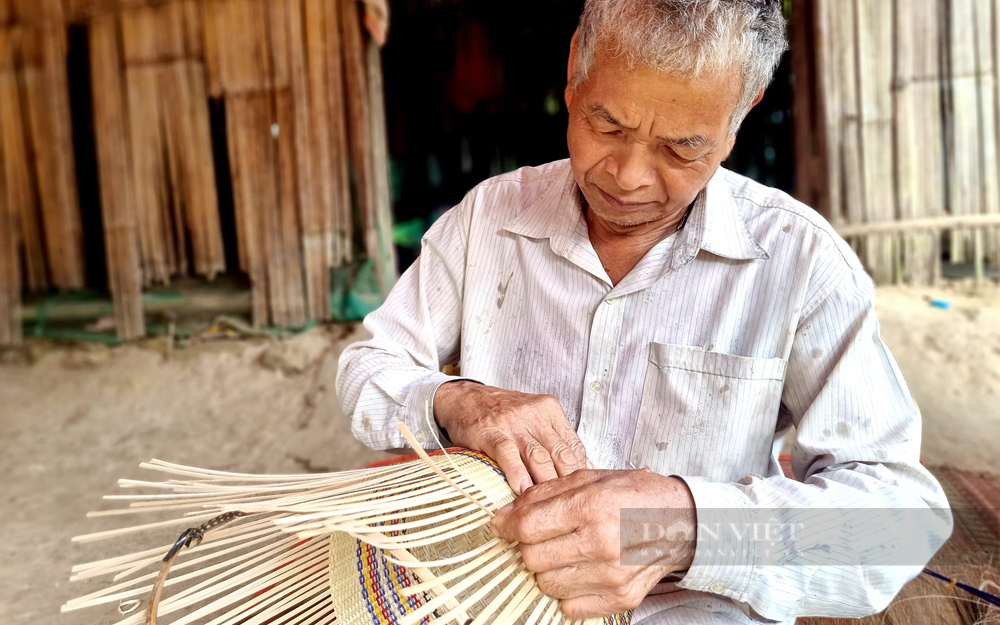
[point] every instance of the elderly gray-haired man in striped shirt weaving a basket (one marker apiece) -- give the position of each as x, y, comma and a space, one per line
638, 328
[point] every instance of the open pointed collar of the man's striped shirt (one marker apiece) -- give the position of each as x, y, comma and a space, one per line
714, 224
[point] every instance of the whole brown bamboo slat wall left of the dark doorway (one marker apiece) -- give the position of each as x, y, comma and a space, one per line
299, 82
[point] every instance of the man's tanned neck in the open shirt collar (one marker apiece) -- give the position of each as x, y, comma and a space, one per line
620, 248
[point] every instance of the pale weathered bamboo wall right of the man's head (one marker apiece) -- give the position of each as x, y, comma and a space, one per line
897, 129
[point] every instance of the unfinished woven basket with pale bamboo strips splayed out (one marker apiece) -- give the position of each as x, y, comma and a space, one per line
400, 544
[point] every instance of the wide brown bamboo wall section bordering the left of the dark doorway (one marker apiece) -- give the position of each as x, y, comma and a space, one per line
291, 74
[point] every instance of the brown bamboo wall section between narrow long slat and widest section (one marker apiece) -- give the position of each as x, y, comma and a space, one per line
173, 173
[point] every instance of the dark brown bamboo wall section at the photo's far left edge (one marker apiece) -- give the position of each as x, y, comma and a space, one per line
41, 223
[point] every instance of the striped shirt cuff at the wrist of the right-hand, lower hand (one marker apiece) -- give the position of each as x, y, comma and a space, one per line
725, 553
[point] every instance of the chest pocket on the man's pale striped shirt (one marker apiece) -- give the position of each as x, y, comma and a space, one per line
706, 413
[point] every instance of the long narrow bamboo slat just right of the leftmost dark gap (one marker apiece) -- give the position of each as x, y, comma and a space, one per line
120, 228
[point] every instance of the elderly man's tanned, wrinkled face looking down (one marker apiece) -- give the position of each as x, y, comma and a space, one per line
643, 143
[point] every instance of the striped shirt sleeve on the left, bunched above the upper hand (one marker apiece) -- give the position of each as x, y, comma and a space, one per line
393, 376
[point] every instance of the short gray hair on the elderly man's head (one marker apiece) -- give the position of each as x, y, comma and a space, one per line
687, 37
